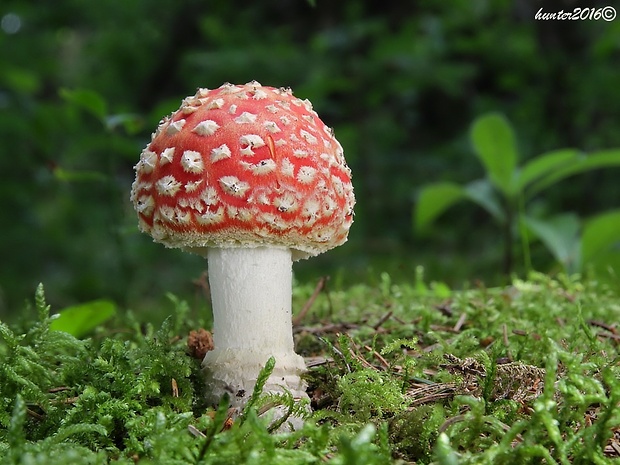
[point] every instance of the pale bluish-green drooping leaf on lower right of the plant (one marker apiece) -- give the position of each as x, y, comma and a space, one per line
560, 235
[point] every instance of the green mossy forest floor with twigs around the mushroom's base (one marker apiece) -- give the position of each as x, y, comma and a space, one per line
399, 373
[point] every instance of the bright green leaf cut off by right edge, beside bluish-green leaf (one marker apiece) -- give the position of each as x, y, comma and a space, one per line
599, 234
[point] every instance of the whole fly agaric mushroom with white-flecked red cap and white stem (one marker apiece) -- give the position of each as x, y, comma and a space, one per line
251, 178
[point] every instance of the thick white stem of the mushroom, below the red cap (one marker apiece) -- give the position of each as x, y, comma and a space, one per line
251, 297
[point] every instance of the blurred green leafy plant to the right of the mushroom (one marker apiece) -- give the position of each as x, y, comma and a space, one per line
508, 189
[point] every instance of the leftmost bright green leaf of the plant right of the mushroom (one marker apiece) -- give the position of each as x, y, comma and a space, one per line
433, 200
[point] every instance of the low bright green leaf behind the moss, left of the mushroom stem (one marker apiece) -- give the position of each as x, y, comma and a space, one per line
79, 320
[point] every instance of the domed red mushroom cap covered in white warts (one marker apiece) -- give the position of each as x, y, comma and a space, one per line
244, 166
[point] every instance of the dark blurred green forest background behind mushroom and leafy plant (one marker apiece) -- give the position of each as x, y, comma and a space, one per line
84, 83
